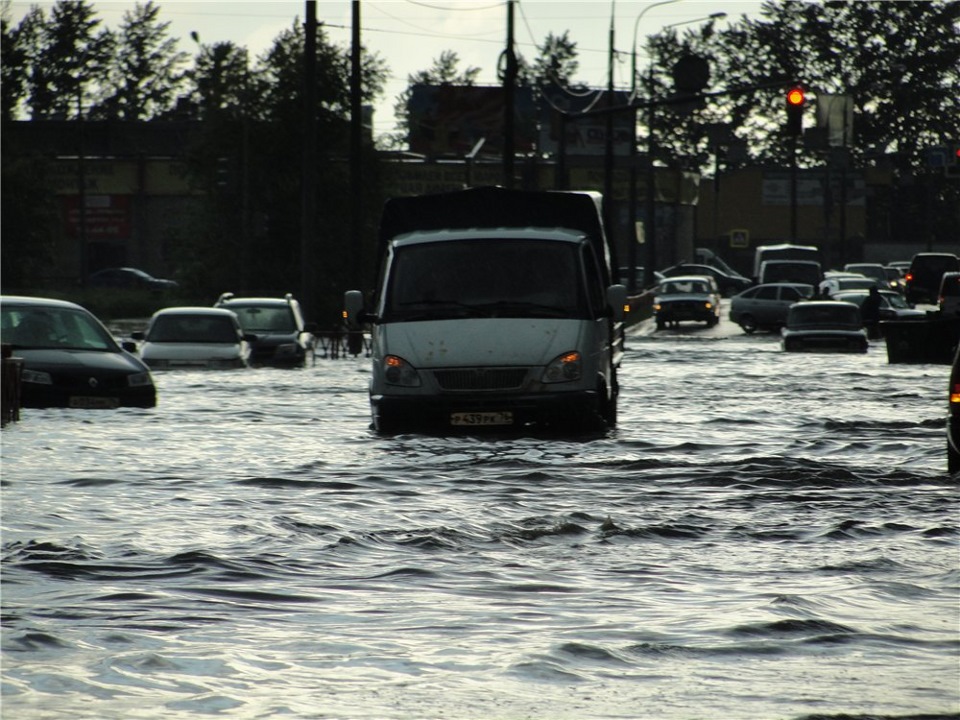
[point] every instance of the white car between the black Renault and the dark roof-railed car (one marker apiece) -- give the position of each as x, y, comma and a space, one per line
194, 337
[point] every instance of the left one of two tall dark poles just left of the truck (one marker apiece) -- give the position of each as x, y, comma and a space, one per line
308, 197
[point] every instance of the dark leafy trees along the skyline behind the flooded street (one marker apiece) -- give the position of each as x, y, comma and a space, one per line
898, 62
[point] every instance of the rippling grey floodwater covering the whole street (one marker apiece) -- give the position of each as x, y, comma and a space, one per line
764, 536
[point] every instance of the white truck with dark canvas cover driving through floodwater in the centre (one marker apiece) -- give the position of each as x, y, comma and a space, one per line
494, 308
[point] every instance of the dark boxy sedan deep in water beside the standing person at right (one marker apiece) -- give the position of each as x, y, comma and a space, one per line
824, 326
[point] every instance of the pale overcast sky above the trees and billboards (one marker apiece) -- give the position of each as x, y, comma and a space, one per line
410, 34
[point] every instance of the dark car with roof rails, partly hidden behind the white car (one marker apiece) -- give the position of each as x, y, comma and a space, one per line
282, 335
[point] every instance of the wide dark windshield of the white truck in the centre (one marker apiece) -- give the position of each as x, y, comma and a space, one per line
485, 278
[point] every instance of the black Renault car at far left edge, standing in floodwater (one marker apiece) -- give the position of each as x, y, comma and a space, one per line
70, 359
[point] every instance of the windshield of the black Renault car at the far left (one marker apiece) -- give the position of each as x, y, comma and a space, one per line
50, 327
